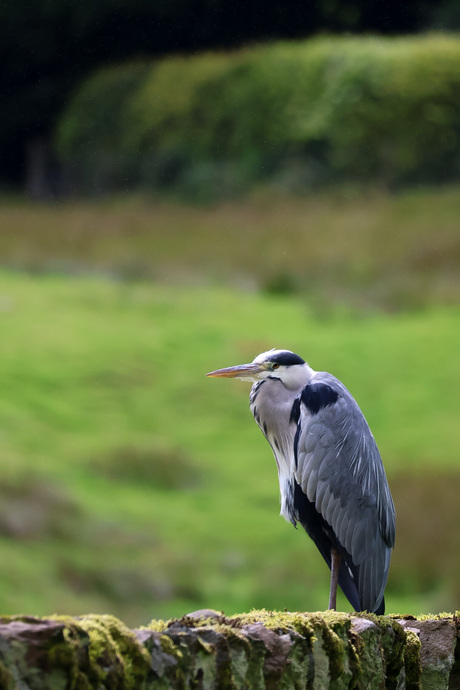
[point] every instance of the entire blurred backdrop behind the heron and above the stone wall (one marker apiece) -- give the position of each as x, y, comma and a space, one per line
185, 185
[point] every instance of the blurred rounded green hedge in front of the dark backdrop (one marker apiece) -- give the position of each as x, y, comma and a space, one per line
299, 114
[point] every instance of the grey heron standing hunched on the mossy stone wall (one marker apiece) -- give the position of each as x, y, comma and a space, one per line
331, 476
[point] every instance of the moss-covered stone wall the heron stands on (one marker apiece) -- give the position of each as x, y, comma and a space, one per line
208, 650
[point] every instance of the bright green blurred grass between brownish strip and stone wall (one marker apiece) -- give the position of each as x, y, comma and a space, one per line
131, 484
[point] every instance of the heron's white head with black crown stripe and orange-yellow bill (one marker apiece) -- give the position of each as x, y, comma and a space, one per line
284, 365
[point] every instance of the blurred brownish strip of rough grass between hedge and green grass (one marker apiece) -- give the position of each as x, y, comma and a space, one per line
342, 250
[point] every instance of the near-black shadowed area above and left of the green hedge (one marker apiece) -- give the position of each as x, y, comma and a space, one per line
48, 46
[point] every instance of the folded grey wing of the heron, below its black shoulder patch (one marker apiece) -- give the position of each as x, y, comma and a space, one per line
338, 467
